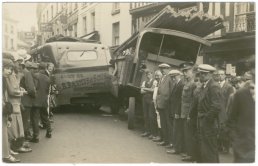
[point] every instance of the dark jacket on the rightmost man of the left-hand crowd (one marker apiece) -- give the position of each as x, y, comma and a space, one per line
42, 90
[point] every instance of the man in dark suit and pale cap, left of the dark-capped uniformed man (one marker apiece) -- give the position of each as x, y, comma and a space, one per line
175, 112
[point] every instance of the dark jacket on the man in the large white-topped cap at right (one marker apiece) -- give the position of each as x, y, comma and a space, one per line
209, 102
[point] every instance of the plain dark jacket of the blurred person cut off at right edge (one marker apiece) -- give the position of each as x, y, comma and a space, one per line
241, 123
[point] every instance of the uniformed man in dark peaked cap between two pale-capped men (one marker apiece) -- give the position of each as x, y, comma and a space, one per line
189, 127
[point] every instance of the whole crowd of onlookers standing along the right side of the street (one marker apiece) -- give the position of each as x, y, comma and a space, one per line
198, 112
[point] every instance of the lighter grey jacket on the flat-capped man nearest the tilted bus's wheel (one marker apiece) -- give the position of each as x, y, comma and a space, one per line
164, 92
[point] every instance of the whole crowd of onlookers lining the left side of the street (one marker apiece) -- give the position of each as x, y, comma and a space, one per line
26, 91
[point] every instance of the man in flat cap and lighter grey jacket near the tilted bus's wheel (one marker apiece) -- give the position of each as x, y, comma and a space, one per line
163, 103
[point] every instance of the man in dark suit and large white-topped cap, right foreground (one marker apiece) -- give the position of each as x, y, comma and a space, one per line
209, 107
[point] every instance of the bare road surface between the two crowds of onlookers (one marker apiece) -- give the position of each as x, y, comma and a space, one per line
97, 137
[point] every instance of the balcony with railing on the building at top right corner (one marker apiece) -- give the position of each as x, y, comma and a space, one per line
245, 22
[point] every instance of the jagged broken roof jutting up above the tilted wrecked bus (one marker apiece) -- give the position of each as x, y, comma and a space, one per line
192, 22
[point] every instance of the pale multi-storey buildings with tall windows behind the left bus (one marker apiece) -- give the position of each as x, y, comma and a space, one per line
107, 22
